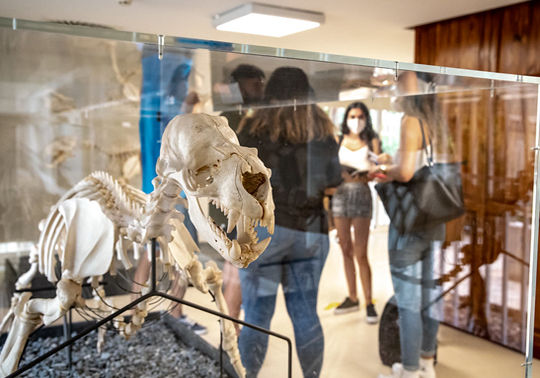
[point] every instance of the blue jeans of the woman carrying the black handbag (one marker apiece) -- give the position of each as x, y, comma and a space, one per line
416, 291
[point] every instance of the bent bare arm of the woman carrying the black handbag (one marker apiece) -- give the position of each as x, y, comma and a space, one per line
410, 143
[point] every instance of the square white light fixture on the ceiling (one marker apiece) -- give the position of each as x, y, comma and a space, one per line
268, 20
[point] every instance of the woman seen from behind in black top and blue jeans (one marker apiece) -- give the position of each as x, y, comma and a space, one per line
295, 139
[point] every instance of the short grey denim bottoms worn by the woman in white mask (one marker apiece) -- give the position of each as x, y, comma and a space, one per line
352, 200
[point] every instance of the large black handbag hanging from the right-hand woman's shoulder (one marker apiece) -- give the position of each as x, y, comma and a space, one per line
432, 197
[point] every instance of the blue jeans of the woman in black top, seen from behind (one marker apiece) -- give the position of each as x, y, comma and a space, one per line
295, 260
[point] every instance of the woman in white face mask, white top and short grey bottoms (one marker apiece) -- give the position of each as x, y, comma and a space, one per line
352, 204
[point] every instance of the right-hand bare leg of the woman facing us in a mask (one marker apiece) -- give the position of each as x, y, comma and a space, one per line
361, 237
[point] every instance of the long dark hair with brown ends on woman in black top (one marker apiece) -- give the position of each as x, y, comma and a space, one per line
290, 116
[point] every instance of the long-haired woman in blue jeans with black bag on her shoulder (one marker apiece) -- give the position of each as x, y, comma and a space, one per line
411, 254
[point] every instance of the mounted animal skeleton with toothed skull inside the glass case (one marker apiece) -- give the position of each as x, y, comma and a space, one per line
201, 156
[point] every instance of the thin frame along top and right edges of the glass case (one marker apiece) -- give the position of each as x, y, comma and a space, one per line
476, 80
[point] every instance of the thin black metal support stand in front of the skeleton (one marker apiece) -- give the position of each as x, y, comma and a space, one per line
153, 293
